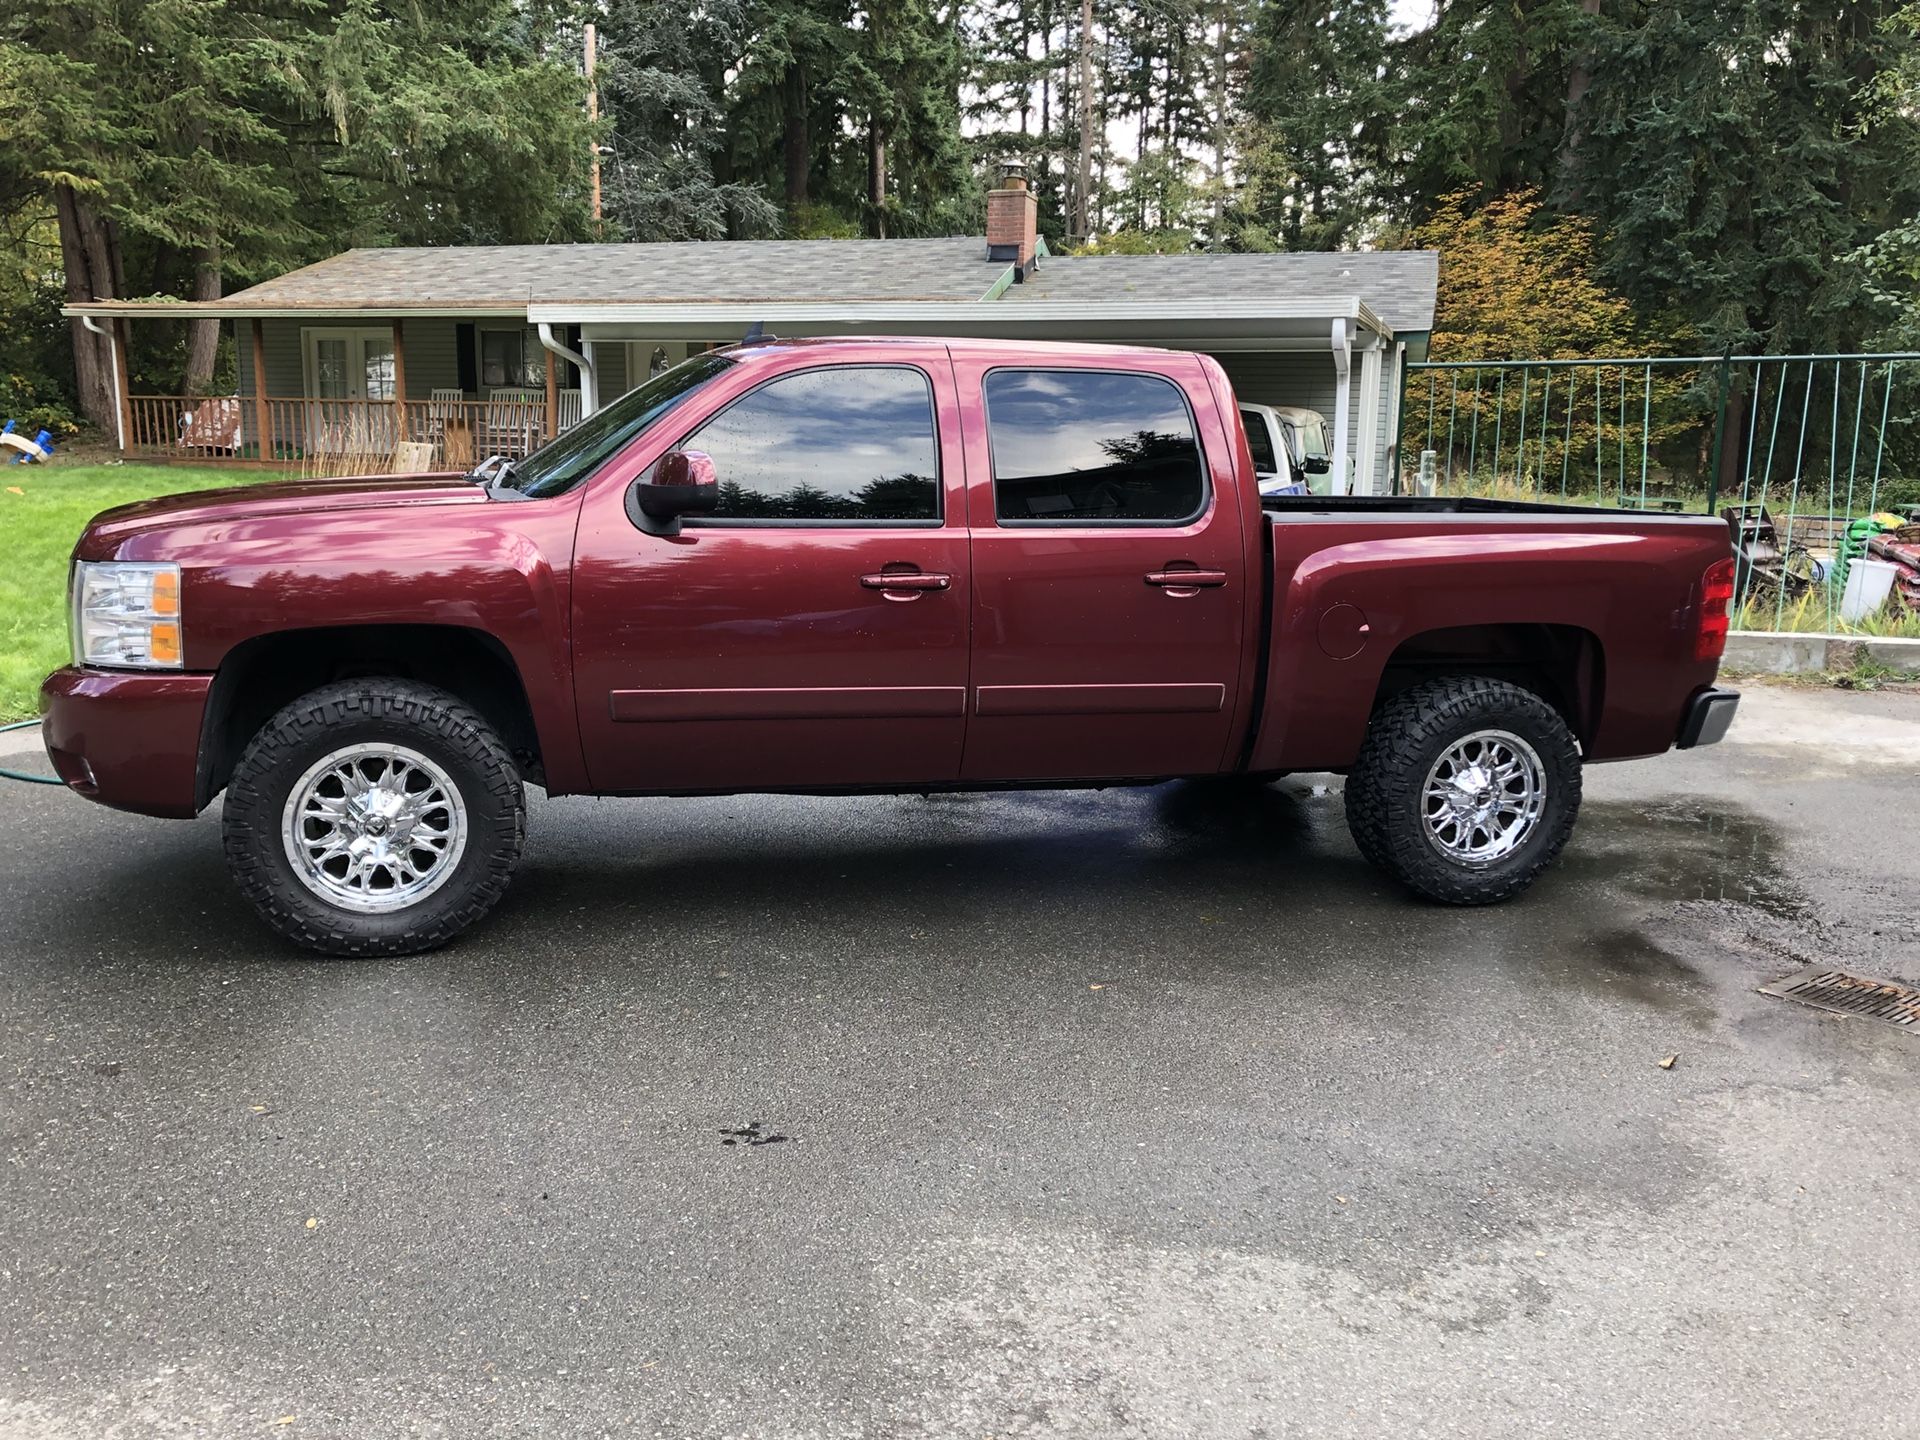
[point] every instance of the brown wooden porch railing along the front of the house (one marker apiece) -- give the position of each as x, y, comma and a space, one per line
345, 437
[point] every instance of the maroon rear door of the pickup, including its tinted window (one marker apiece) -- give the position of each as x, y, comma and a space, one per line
1109, 571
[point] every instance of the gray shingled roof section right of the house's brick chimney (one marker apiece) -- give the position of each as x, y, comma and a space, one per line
1397, 285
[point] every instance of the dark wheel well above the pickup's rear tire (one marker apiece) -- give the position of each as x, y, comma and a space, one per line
1564, 665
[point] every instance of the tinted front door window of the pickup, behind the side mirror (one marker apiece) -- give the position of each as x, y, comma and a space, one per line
846, 444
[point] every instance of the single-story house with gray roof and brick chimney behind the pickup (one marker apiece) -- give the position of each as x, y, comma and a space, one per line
473, 350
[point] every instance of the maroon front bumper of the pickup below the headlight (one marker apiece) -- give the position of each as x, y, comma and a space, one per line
128, 738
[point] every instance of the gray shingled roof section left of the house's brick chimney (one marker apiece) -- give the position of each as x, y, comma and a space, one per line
454, 277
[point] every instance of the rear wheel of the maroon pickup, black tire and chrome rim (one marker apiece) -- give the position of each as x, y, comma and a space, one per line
1464, 790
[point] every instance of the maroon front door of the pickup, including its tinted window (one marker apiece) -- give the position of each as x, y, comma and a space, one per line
815, 631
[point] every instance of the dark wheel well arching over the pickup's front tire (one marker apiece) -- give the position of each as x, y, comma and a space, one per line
262, 675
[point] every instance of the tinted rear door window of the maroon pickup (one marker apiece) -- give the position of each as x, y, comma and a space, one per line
1092, 446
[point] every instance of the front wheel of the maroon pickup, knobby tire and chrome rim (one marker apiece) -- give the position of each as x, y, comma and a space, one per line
375, 817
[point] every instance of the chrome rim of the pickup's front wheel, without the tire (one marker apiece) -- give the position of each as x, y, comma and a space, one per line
375, 828
